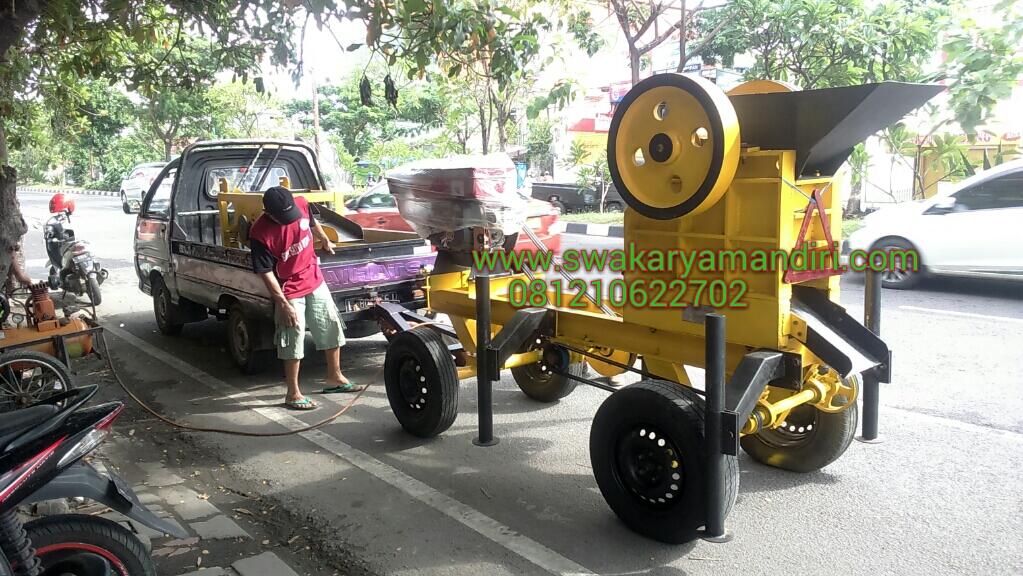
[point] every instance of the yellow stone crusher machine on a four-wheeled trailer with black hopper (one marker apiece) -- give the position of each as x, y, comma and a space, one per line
701, 170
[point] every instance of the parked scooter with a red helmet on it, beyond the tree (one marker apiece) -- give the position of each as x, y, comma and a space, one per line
72, 267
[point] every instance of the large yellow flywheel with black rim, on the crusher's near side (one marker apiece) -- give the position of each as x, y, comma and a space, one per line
674, 146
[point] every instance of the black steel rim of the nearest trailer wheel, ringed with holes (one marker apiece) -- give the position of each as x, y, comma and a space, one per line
649, 466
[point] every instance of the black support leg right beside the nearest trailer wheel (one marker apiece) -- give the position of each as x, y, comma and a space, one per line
715, 530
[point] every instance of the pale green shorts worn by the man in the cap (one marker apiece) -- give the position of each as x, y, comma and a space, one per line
318, 313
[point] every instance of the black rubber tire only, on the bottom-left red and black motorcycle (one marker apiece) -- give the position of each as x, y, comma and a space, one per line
117, 543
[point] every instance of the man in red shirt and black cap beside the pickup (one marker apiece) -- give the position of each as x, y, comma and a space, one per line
284, 254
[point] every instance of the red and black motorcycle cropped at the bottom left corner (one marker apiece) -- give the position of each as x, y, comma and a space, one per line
41, 452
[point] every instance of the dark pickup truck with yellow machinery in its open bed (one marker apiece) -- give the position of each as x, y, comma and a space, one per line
192, 253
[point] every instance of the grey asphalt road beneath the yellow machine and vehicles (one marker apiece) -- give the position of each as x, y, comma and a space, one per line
939, 497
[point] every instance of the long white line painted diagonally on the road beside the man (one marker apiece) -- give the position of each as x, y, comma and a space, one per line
471, 518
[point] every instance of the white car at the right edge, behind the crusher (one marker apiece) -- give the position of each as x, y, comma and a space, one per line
974, 230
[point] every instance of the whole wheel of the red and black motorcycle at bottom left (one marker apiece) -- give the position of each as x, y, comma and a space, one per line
83, 546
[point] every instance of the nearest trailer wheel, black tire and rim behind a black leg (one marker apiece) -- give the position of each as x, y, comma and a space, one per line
647, 450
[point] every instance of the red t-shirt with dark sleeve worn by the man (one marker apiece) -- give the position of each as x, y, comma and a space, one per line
288, 251
